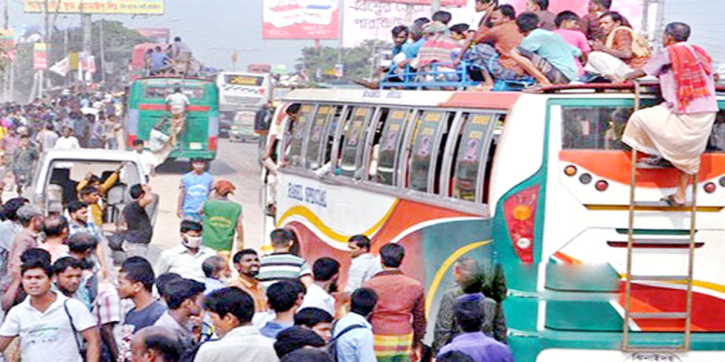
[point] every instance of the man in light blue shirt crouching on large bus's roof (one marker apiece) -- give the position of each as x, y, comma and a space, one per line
544, 55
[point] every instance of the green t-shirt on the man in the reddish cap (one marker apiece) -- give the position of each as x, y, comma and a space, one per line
220, 221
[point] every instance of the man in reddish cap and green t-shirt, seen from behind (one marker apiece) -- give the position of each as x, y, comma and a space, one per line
222, 217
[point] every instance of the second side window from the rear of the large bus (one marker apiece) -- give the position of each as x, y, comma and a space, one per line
422, 150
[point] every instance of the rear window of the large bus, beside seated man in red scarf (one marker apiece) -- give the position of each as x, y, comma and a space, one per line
596, 127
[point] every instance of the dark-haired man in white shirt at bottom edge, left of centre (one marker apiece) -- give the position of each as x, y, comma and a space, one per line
231, 311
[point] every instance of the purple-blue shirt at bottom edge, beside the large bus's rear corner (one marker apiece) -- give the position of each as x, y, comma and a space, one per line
479, 347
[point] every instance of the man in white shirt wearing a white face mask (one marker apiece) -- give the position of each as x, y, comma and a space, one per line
187, 258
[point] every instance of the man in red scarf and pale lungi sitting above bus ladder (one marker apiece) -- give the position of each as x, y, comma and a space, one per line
678, 129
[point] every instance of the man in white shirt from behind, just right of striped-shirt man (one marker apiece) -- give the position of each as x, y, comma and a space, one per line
326, 271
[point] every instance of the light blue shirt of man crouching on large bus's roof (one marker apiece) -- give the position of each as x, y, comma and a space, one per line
553, 48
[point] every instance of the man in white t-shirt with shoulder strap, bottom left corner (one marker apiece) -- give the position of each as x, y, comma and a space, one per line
46, 322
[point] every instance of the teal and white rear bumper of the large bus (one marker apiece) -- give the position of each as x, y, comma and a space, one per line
550, 346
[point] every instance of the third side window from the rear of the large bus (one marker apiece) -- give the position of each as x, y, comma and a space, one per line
388, 146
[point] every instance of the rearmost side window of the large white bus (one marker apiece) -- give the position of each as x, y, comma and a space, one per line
471, 150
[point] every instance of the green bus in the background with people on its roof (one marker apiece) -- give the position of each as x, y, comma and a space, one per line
147, 107
